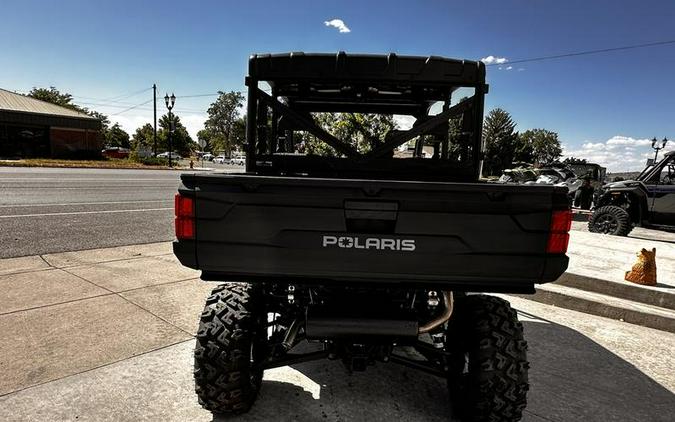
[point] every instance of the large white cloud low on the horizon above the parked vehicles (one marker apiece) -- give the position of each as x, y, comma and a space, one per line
618, 154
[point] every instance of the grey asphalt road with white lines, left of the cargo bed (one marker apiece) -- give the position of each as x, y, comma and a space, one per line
47, 210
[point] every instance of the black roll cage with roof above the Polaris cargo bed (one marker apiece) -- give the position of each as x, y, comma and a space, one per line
302, 84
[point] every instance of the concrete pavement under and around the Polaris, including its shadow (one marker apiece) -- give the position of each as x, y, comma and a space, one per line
107, 335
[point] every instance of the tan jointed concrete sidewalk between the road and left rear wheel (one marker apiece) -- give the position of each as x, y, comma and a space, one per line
101, 306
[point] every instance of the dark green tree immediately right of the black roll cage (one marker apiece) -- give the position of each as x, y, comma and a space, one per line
500, 140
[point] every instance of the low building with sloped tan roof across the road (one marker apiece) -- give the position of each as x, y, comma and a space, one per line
34, 128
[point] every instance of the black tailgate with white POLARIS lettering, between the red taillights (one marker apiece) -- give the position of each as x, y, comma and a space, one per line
462, 236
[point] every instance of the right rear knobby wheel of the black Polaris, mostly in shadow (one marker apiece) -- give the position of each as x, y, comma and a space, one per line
488, 366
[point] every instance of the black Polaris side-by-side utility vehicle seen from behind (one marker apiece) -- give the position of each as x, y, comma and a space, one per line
367, 256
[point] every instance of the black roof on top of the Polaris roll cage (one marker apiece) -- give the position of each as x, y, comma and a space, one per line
364, 82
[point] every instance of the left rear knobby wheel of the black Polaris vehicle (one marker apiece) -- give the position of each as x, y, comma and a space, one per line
229, 340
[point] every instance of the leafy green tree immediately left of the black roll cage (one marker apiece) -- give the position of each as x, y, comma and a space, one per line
223, 115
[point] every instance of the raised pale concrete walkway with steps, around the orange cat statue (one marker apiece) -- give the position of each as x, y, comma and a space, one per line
594, 282
